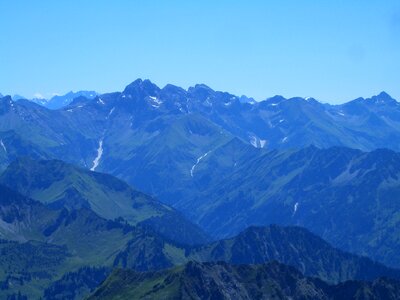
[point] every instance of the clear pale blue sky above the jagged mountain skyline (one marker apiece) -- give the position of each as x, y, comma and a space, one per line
334, 51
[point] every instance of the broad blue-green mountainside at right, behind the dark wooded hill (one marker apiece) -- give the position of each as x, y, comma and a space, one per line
346, 196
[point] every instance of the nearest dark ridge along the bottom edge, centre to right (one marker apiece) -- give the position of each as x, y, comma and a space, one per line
223, 281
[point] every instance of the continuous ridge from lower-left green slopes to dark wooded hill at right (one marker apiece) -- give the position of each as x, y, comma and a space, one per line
48, 242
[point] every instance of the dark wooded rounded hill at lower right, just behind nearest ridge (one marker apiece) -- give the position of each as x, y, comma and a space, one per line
294, 246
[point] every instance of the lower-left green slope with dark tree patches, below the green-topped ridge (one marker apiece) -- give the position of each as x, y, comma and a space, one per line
52, 241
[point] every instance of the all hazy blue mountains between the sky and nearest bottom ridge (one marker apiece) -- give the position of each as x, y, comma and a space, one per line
150, 178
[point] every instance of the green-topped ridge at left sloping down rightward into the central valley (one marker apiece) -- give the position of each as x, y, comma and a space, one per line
61, 185
